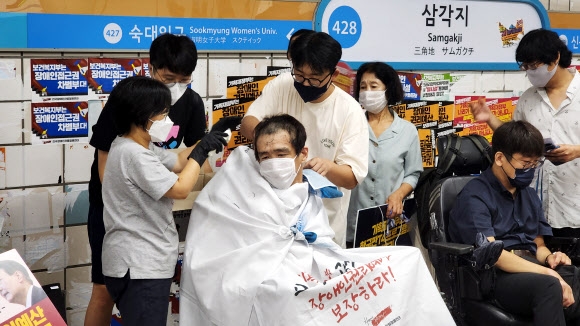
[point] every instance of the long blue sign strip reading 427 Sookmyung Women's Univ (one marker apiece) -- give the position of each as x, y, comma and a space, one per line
96, 32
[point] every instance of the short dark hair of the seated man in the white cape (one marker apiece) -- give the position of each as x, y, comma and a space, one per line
281, 122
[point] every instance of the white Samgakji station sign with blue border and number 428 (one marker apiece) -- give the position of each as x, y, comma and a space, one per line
431, 35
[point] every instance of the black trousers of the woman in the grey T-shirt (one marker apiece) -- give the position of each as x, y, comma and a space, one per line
142, 301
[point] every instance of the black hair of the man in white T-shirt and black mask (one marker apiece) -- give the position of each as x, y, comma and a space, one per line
317, 50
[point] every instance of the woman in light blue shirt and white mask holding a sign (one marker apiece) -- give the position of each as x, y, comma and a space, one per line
394, 154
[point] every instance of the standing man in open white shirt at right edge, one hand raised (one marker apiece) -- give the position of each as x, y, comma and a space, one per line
552, 105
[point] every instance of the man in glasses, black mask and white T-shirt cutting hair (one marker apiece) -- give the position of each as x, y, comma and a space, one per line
334, 120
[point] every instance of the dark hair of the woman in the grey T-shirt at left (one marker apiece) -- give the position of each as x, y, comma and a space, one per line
136, 100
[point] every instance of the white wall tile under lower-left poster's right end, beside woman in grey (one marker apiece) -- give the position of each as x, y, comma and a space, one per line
78, 159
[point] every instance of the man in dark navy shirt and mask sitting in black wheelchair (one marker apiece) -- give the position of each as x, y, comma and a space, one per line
529, 279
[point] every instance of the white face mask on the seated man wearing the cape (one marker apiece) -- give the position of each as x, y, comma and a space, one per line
279, 172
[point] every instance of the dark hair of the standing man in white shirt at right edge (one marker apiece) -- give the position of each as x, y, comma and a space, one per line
542, 45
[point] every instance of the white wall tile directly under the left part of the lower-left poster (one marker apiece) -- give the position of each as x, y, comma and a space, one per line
42, 164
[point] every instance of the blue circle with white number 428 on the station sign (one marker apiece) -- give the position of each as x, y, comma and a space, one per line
345, 26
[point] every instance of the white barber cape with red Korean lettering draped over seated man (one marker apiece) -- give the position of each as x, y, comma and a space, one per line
247, 262
